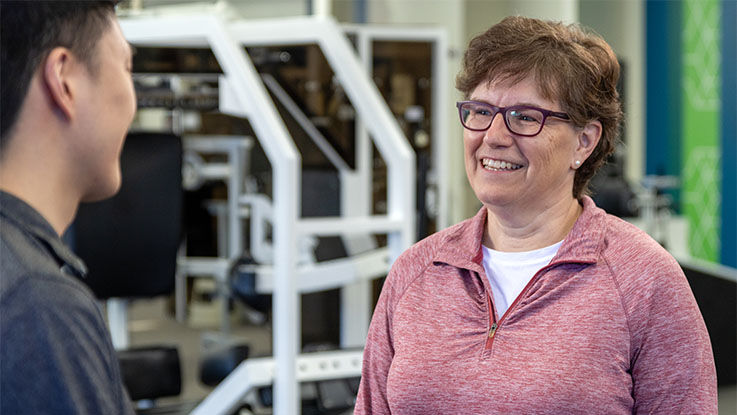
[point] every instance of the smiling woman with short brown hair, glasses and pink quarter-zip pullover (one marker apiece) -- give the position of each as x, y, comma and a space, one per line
541, 303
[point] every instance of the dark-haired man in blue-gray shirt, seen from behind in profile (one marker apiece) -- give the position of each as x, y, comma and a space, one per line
67, 102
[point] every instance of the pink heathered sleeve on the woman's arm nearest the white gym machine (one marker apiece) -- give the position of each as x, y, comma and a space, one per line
379, 352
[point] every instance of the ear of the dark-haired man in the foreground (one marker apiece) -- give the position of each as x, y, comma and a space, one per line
57, 76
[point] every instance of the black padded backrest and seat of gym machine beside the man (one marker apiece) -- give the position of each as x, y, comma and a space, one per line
129, 243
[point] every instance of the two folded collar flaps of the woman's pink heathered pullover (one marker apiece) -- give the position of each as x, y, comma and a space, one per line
461, 247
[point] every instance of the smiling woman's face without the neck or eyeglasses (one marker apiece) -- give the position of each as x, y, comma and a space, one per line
507, 171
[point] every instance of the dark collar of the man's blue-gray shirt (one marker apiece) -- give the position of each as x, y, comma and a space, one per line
27, 218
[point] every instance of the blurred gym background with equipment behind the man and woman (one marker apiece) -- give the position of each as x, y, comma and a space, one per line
285, 151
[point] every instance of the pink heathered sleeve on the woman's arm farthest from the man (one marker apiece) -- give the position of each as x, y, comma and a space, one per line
671, 358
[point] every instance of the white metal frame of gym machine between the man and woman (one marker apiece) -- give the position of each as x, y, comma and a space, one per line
242, 93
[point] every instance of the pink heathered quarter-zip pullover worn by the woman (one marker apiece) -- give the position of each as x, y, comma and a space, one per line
610, 326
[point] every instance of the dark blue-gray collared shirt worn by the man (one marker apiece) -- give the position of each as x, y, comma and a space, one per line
56, 356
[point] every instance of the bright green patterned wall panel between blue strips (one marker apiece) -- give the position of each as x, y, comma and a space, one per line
701, 126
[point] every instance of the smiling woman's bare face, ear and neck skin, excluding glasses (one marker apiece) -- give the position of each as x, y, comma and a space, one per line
536, 198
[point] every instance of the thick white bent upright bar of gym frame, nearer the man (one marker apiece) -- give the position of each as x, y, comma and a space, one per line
255, 104
